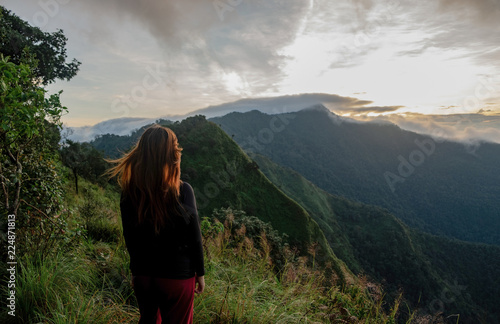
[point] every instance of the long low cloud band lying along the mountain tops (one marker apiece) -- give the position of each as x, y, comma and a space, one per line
463, 127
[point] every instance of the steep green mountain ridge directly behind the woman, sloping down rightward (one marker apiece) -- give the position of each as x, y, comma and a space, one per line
223, 176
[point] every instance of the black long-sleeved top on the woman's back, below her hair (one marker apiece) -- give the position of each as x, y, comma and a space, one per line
176, 251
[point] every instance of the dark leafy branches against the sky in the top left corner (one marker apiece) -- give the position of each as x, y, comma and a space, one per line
18, 39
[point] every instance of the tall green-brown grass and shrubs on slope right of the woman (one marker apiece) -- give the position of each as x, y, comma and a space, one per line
242, 288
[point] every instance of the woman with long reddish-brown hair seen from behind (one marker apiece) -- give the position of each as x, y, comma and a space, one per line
161, 228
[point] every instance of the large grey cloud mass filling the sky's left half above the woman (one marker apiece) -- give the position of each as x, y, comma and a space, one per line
202, 49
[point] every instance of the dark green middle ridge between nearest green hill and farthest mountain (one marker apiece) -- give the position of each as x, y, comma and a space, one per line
437, 274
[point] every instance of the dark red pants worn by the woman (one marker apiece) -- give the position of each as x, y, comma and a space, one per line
172, 298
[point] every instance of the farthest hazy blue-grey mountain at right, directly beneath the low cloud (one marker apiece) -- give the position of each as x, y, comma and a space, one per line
440, 187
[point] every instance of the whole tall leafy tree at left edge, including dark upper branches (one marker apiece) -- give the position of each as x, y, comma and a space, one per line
30, 186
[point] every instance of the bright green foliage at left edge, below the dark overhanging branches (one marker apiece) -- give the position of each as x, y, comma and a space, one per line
29, 132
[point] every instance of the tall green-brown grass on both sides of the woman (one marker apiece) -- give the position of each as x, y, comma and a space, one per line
91, 283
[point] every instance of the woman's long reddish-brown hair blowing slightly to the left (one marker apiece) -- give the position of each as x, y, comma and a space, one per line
150, 175
